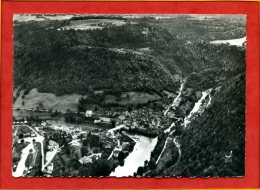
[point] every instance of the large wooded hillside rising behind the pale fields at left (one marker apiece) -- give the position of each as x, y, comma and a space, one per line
65, 62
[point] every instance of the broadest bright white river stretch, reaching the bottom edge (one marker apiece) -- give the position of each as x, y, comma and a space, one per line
142, 151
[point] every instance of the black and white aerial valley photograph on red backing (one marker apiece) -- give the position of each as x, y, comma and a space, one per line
129, 95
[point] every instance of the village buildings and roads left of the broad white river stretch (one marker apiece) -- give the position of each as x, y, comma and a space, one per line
60, 148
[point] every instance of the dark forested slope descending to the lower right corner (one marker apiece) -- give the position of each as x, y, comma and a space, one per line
209, 139
